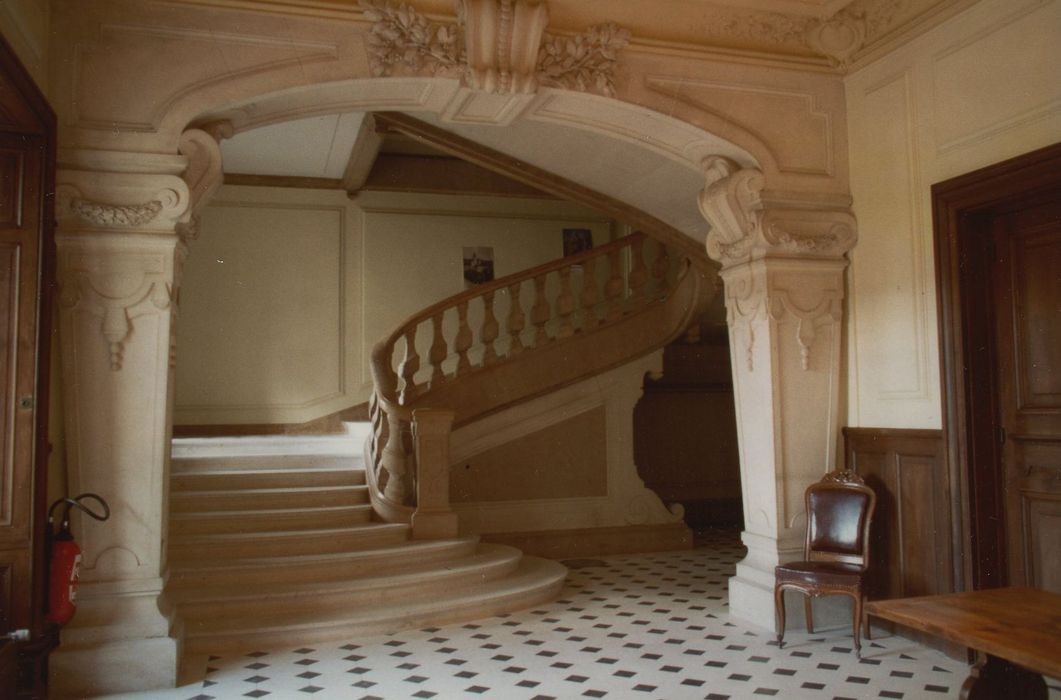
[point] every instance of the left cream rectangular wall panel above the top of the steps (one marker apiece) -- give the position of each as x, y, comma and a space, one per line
269, 301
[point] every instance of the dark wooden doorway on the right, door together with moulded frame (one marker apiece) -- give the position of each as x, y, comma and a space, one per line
999, 270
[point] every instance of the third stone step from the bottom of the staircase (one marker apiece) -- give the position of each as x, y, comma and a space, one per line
251, 570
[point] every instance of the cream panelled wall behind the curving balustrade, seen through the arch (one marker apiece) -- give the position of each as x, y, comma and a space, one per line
287, 291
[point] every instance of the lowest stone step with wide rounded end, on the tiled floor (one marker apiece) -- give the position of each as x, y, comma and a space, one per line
534, 582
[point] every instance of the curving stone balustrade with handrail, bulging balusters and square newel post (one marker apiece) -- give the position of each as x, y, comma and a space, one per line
473, 369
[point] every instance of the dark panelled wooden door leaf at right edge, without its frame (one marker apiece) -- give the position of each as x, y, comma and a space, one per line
1027, 274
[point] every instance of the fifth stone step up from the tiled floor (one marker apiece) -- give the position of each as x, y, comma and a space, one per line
268, 521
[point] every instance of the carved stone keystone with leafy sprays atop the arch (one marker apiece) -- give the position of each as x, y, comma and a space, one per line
497, 46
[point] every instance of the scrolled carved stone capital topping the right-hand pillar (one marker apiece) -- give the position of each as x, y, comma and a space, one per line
747, 223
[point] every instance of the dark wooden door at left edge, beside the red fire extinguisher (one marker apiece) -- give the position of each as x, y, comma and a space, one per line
27, 177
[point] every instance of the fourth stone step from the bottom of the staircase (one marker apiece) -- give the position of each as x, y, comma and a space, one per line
233, 547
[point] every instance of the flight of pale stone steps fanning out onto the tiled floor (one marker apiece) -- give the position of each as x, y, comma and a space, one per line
273, 544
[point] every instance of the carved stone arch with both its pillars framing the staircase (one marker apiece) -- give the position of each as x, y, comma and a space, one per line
144, 74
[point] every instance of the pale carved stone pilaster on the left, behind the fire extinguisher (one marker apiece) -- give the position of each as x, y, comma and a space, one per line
124, 220
